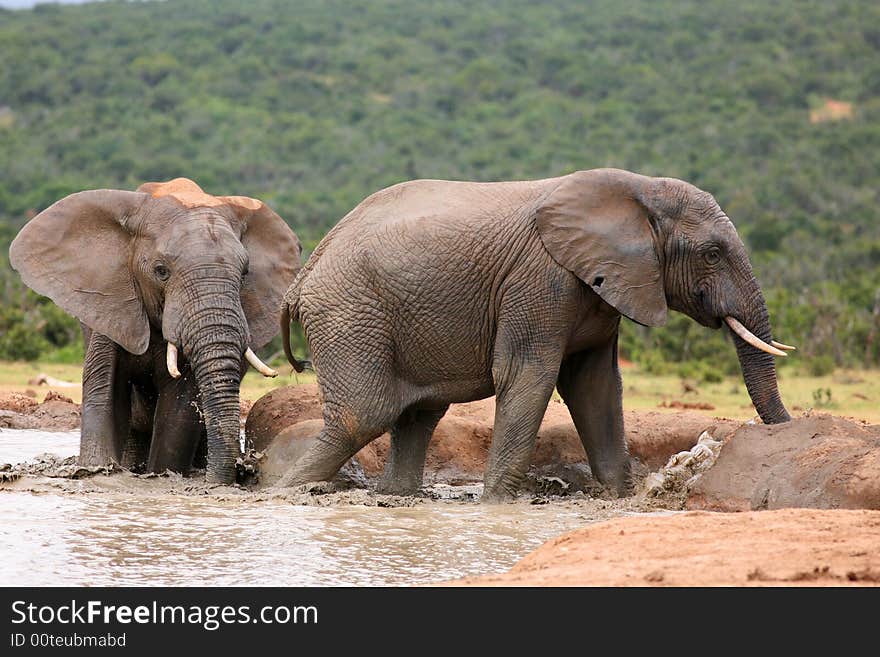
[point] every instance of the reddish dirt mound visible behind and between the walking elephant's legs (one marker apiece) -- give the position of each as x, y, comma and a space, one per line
459, 449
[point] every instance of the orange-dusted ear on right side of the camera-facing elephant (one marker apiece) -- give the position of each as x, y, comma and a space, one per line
274, 259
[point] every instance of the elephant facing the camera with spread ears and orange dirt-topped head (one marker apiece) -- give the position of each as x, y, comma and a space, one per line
175, 288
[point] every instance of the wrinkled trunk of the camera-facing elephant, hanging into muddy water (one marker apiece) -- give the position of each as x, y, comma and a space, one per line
213, 335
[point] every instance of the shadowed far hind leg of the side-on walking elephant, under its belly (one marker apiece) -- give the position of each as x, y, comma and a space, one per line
410, 436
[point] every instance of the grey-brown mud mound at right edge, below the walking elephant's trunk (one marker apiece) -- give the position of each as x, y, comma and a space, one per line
820, 461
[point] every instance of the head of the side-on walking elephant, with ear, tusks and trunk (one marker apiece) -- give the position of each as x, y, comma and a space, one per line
648, 244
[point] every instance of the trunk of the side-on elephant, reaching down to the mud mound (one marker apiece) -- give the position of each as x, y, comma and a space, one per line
758, 367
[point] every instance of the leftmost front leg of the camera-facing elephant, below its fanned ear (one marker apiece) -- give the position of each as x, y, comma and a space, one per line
106, 409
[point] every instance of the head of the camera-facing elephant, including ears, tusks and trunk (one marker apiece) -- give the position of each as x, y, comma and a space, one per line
206, 272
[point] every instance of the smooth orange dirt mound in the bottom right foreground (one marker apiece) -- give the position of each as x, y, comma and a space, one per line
790, 547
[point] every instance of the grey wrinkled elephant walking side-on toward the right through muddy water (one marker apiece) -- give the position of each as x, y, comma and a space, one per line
435, 292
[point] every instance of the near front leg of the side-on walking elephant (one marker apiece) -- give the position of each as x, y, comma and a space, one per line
522, 392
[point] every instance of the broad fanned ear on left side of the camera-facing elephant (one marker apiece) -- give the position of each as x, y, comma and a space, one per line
77, 253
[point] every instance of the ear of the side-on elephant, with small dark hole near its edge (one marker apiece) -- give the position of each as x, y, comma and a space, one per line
595, 225
